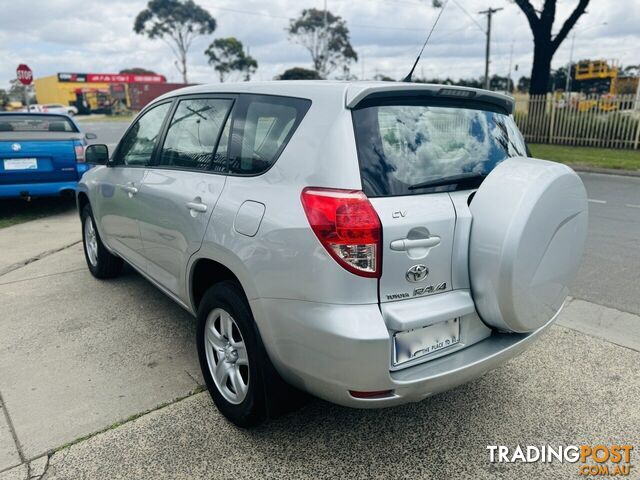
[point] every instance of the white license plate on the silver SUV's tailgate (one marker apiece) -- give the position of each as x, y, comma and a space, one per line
417, 343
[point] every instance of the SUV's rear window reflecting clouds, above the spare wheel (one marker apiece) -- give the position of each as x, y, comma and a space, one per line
404, 145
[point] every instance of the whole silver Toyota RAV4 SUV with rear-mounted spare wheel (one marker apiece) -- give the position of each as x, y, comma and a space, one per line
369, 243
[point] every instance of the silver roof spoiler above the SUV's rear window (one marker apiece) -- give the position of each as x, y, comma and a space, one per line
361, 93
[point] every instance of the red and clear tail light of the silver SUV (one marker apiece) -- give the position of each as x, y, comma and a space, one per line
347, 226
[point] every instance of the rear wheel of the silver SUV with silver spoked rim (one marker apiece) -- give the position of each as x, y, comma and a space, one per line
234, 363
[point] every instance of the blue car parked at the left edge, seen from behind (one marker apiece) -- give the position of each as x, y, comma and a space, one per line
41, 154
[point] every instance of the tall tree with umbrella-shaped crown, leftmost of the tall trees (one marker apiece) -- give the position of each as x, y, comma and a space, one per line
177, 23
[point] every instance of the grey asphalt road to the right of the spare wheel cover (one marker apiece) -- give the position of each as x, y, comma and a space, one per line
610, 272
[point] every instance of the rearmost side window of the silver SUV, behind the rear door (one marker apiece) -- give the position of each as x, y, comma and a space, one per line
263, 128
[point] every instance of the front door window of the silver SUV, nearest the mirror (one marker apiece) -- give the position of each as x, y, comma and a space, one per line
136, 148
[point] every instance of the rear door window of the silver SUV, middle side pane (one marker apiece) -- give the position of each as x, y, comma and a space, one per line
193, 133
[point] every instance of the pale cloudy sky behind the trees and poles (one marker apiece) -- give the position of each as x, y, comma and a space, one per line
96, 36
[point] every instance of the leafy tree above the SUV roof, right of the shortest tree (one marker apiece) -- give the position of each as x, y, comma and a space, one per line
326, 37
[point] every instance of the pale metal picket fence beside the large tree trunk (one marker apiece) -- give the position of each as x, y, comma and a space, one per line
608, 121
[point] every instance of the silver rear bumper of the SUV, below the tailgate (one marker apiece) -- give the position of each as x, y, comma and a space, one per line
329, 350
